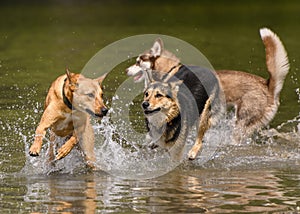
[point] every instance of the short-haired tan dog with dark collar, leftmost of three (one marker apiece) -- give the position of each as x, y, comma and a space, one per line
71, 100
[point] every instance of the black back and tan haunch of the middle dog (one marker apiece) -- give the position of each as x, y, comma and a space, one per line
199, 84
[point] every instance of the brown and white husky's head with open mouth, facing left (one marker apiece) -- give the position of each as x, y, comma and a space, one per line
157, 58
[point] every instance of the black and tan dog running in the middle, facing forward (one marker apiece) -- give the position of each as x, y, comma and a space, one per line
175, 103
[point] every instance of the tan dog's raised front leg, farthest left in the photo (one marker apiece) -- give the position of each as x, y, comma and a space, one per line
48, 118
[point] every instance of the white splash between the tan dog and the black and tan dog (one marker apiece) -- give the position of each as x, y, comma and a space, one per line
125, 155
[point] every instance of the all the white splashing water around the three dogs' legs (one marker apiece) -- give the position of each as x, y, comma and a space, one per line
122, 152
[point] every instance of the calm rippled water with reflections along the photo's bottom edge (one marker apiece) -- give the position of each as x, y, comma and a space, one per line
188, 190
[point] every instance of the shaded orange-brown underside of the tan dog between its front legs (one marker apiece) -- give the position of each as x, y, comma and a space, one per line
64, 126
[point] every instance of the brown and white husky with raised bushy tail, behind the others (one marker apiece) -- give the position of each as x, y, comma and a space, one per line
254, 98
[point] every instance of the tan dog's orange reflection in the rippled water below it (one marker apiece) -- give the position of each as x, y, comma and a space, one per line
61, 194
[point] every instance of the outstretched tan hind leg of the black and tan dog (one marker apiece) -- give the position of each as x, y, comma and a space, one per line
204, 125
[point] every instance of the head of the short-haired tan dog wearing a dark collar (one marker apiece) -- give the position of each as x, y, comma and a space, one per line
87, 94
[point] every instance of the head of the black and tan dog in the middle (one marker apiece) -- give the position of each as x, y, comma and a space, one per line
160, 98
